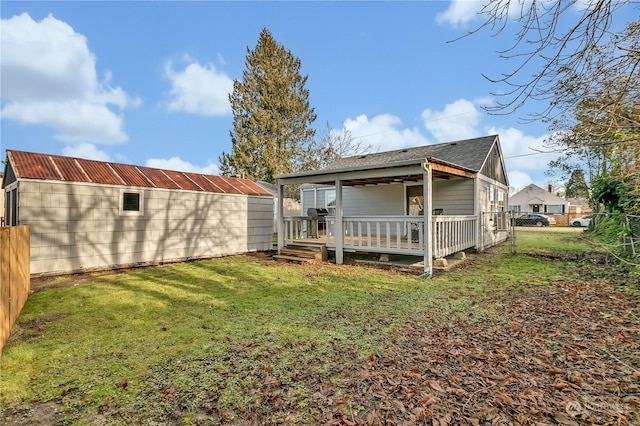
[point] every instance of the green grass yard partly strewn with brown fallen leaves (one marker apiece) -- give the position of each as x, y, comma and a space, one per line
245, 340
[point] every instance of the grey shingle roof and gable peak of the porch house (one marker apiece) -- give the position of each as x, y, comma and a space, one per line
468, 154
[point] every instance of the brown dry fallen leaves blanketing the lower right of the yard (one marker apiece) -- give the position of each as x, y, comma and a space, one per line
568, 354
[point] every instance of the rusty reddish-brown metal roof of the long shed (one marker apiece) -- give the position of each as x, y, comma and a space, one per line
30, 165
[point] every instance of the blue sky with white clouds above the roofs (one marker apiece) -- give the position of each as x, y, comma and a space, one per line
147, 83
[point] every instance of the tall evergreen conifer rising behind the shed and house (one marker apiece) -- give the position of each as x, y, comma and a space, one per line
271, 115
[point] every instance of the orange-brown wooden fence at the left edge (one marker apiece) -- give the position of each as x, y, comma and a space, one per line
14, 276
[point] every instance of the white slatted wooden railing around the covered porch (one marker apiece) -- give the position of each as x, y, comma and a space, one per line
393, 234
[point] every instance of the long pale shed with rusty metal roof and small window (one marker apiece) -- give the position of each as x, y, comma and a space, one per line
90, 215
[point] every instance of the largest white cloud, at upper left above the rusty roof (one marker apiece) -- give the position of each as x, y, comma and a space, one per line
49, 78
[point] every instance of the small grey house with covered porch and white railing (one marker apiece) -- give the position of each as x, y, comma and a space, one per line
430, 201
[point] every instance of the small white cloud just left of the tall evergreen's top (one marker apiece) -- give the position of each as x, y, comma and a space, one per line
199, 89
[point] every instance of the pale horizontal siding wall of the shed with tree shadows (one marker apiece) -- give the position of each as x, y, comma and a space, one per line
78, 227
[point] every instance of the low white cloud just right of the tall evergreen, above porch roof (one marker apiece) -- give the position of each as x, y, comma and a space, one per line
383, 132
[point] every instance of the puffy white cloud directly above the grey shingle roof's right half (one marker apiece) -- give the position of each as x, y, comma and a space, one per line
458, 120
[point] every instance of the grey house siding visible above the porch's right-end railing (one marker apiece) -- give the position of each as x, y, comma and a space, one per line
454, 196
